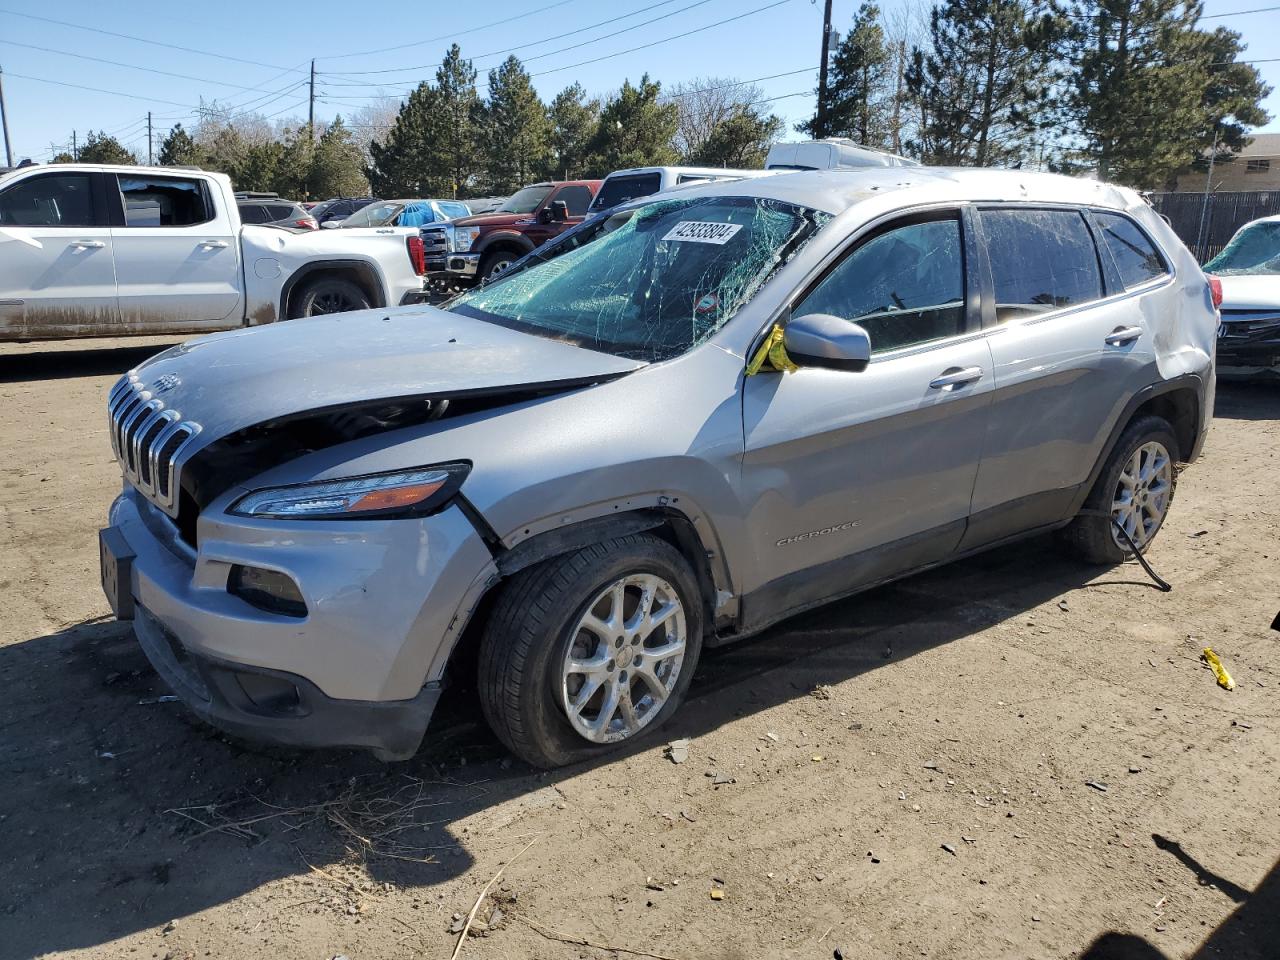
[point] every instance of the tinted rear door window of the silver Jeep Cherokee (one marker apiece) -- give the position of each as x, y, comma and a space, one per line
1041, 260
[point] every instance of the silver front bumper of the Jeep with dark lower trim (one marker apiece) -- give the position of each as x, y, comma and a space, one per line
362, 669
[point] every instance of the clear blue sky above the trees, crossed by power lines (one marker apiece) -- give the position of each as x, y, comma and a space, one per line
257, 54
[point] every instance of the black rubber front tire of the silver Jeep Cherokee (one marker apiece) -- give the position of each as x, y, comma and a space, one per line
537, 623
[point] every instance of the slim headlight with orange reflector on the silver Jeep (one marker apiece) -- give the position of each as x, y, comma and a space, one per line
410, 493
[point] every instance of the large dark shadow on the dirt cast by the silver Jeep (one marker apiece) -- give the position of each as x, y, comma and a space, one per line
121, 813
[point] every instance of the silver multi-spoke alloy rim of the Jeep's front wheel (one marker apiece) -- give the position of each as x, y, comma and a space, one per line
624, 659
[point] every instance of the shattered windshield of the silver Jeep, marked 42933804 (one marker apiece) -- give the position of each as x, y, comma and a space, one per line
652, 282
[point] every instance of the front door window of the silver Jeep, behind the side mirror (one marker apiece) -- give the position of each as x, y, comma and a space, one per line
906, 286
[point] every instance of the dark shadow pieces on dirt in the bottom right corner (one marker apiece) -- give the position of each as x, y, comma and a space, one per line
1252, 932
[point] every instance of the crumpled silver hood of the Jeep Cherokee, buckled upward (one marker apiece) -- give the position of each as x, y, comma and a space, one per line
234, 381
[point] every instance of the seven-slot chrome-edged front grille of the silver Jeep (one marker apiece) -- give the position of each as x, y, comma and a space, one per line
149, 441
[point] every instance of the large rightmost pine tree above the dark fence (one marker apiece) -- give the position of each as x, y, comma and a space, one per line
1149, 92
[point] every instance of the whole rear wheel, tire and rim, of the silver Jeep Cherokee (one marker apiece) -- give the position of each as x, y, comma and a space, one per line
1135, 488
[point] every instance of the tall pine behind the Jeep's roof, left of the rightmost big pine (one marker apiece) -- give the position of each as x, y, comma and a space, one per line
984, 83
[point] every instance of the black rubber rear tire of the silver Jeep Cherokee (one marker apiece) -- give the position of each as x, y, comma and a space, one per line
1092, 534
